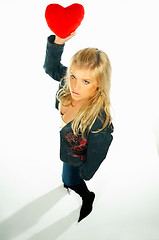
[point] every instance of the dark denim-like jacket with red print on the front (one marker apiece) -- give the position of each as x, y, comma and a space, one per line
90, 151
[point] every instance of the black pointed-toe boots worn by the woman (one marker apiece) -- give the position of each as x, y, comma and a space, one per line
87, 198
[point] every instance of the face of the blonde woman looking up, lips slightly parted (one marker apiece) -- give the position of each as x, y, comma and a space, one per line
82, 85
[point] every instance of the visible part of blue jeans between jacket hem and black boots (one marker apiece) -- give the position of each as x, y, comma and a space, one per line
71, 175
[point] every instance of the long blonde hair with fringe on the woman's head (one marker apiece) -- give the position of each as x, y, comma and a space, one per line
98, 62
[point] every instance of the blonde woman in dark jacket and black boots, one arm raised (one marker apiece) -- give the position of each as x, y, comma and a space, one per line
83, 100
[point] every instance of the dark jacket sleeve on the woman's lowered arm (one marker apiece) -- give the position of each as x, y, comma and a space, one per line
98, 145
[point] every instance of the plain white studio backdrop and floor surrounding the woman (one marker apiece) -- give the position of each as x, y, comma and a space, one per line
33, 203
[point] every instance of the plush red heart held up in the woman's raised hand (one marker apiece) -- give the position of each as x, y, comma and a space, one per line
63, 21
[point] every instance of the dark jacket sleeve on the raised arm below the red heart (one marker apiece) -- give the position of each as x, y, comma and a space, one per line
52, 64
